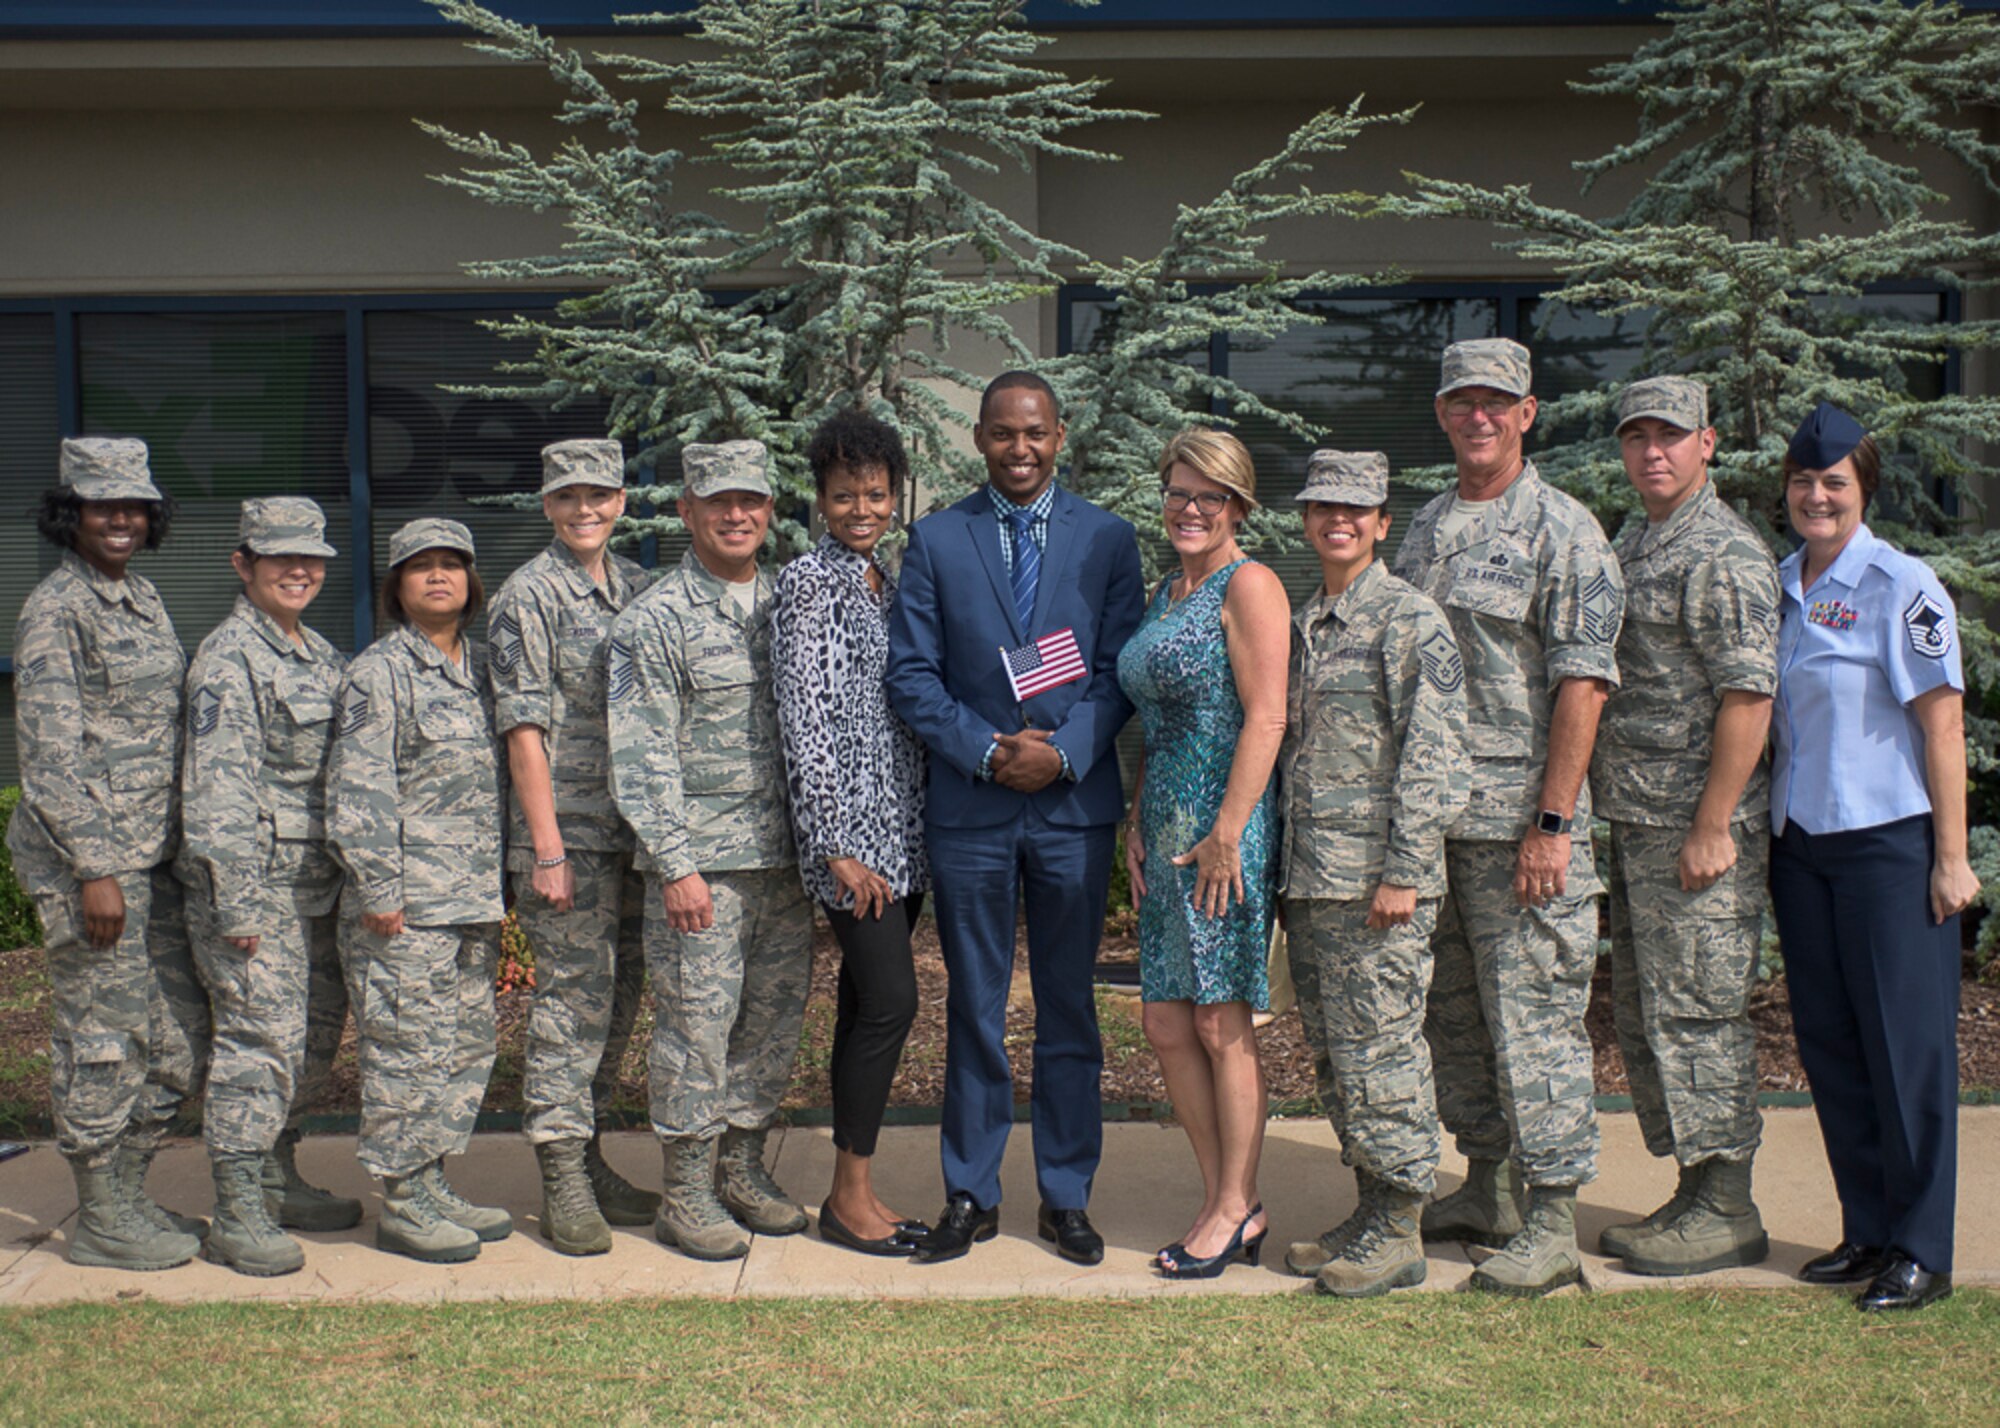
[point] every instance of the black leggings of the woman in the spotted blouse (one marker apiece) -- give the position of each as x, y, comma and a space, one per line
875, 1011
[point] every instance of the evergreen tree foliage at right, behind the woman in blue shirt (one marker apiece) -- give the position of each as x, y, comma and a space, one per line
1779, 143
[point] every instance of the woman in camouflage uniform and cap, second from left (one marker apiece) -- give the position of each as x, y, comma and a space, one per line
263, 887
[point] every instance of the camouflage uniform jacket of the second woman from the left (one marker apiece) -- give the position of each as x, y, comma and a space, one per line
253, 791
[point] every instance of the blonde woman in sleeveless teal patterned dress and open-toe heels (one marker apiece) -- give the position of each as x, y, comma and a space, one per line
1207, 671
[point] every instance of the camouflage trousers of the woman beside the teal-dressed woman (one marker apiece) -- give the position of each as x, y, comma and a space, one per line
1361, 997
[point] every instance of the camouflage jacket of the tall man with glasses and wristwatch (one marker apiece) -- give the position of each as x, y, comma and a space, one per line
1535, 599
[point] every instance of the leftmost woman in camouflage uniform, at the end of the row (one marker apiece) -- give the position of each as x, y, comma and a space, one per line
97, 717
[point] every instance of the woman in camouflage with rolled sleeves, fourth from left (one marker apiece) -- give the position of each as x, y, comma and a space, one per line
547, 637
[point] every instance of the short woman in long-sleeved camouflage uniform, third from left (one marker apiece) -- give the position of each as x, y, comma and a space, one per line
415, 811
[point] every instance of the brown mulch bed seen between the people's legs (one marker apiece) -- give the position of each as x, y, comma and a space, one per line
1131, 1073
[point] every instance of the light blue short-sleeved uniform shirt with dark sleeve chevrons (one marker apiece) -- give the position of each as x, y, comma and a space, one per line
1875, 633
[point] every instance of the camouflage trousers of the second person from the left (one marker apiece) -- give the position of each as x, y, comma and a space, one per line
279, 1015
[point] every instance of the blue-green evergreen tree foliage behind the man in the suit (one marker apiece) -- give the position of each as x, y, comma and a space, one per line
849, 139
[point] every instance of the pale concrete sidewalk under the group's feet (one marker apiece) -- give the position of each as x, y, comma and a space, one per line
1145, 1197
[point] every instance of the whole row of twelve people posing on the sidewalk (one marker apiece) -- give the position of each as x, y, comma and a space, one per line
665, 775
